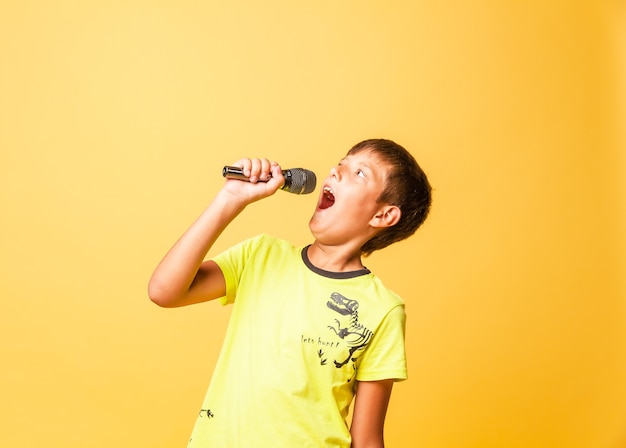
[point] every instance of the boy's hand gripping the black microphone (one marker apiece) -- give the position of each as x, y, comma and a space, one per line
265, 178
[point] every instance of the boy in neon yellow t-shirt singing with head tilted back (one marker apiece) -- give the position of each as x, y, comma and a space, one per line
311, 327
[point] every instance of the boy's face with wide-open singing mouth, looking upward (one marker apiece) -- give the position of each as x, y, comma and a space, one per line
347, 202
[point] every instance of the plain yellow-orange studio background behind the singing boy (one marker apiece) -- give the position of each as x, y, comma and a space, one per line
116, 118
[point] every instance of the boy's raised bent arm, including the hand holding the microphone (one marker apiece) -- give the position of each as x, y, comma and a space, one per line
183, 277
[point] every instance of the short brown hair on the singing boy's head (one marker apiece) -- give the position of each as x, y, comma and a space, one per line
406, 187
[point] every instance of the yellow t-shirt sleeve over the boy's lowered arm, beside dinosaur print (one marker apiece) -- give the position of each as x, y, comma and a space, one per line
385, 357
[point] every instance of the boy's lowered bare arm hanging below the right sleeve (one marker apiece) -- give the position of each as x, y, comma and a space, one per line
370, 409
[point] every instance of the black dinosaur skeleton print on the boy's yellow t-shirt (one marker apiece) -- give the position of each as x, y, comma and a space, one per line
349, 329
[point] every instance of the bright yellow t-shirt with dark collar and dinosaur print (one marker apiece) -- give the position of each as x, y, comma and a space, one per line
298, 340
